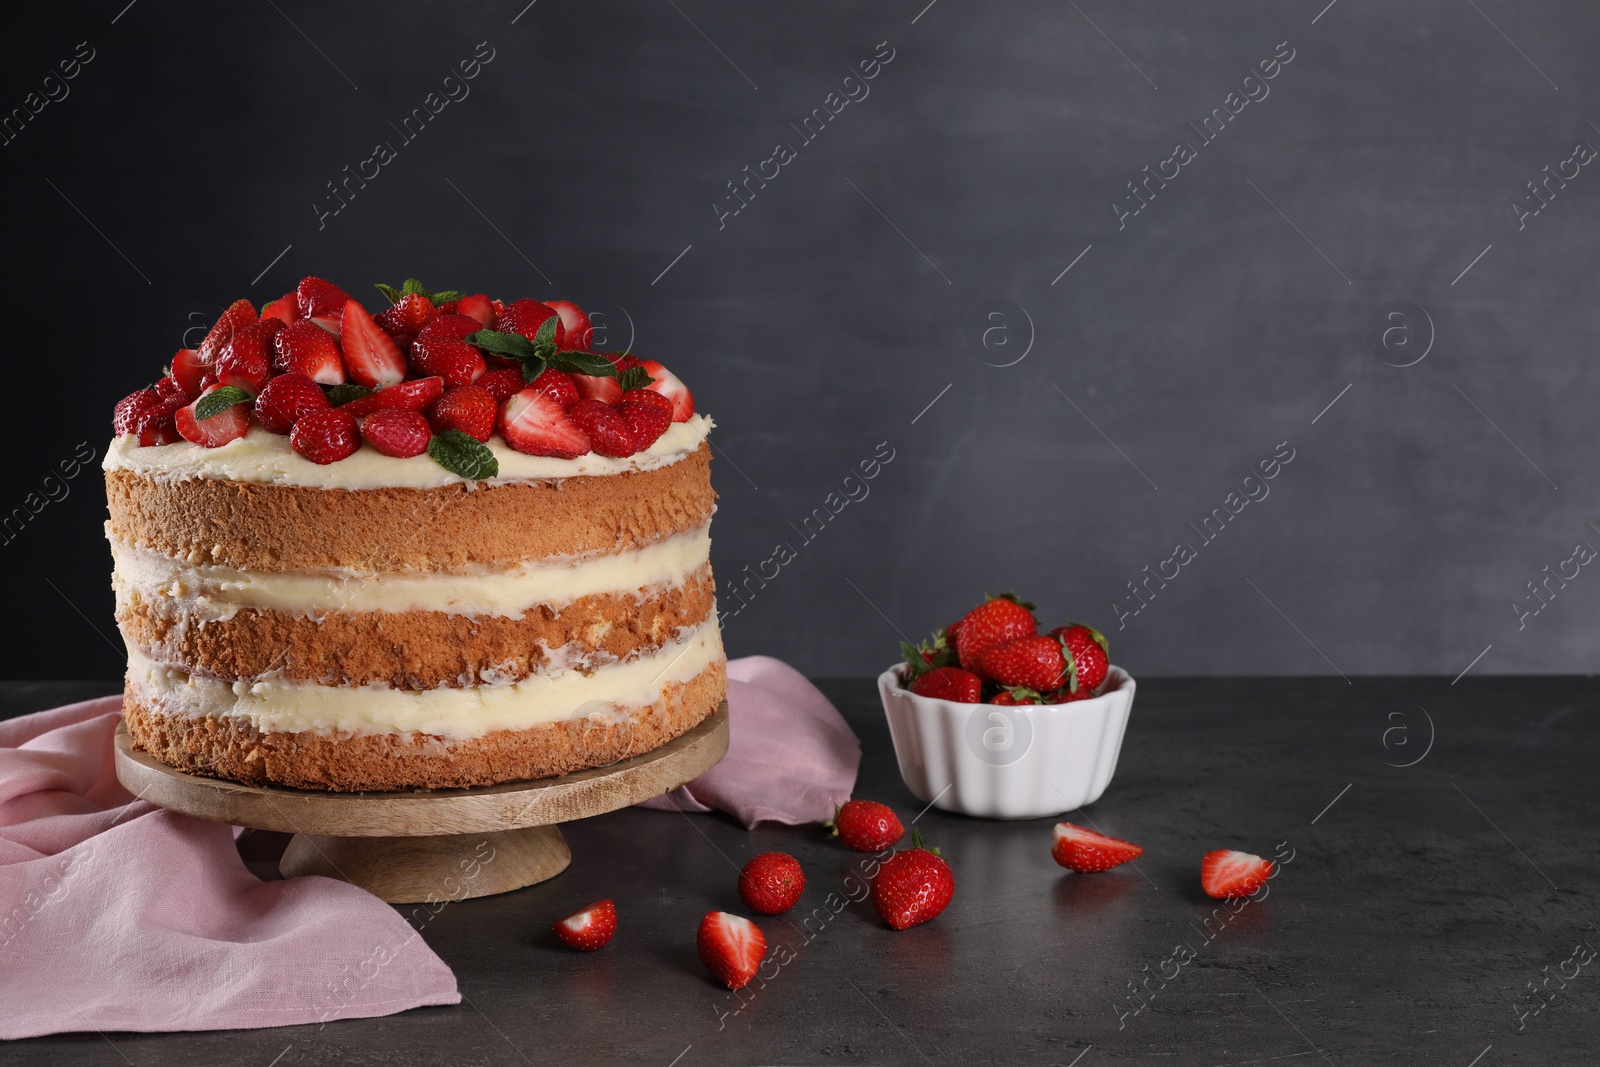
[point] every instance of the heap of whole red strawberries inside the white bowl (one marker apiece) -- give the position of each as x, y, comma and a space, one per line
996, 655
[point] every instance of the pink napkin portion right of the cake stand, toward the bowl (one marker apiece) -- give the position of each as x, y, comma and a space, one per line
791, 757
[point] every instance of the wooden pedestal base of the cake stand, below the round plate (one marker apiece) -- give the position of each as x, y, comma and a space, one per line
430, 869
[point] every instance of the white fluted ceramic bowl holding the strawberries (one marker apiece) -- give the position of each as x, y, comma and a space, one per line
1007, 762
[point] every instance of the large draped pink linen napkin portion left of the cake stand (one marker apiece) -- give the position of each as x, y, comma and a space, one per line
119, 916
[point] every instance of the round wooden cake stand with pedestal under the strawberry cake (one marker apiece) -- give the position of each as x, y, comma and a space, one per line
430, 845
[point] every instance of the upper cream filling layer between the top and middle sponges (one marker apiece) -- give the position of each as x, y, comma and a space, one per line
212, 593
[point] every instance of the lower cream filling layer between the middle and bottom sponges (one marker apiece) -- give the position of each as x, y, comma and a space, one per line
276, 706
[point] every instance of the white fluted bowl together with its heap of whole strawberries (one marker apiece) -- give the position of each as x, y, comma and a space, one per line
1001, 719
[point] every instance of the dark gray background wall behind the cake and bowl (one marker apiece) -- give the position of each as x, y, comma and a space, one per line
905, 279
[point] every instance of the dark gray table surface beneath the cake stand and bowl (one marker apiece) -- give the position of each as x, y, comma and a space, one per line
1418, 906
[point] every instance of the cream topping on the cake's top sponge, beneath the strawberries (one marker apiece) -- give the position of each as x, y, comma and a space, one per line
266, 458
